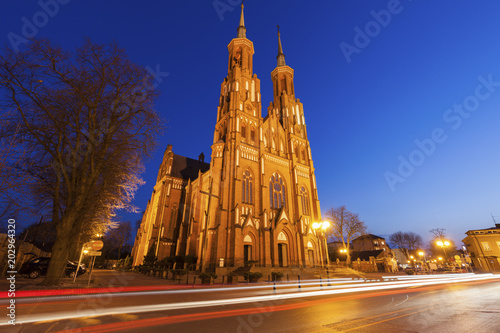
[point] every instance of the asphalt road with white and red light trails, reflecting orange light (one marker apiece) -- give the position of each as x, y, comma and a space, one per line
426, 304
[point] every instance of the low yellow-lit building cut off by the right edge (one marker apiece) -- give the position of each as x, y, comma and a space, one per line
483, 246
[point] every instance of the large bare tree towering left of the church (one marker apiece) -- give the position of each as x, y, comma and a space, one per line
86, 121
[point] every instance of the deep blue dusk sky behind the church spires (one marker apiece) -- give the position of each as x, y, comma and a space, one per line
364, 110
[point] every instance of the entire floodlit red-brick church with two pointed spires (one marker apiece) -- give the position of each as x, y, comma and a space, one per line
256, 202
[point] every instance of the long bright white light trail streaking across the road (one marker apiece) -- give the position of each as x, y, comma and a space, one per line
242, 300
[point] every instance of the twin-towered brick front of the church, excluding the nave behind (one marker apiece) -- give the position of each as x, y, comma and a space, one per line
263, 190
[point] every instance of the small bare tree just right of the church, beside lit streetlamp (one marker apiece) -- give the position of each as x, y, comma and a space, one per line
345, 226
